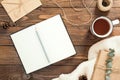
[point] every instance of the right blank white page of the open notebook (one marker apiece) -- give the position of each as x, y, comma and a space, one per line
55, 39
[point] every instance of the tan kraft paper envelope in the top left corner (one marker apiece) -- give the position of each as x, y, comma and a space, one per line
19, 8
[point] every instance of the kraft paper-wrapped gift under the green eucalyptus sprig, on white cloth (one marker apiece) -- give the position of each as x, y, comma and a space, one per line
100, 66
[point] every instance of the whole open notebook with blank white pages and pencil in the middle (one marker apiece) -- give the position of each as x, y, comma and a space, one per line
43, 44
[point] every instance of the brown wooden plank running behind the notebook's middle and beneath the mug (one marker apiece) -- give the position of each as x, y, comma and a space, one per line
80, 36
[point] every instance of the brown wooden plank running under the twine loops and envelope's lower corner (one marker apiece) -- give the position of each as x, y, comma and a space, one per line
45, 13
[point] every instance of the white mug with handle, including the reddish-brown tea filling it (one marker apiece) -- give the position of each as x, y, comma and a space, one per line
103, 26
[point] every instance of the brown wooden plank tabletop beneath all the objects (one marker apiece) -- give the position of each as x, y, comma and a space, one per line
10, 64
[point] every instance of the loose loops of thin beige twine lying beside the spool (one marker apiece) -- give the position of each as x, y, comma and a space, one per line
77, 10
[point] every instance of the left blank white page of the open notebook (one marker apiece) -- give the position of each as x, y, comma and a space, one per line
29, 49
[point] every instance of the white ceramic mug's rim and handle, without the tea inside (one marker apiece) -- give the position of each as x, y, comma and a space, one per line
111, 24
